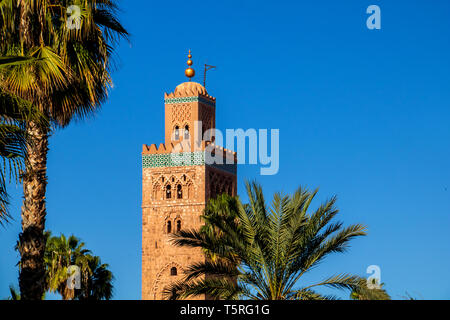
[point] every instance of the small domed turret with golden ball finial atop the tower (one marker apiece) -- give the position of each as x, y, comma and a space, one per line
189, 111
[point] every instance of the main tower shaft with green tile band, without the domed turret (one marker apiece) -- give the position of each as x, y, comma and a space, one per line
174, 197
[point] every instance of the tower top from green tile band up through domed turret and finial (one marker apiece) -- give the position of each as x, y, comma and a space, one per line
190, 121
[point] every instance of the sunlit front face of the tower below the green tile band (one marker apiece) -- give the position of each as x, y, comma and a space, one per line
174, 198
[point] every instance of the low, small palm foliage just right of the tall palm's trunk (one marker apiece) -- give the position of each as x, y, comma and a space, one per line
60, 254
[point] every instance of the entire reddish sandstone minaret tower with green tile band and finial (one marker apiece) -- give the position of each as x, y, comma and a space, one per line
178, 179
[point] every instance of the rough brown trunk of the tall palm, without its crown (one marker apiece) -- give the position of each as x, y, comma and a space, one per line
32, 240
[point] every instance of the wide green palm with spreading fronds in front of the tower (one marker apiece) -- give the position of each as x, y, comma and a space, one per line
264, 252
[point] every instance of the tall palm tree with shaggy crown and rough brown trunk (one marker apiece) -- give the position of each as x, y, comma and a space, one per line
67, 77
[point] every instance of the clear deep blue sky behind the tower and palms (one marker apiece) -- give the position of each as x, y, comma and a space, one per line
362, 114
